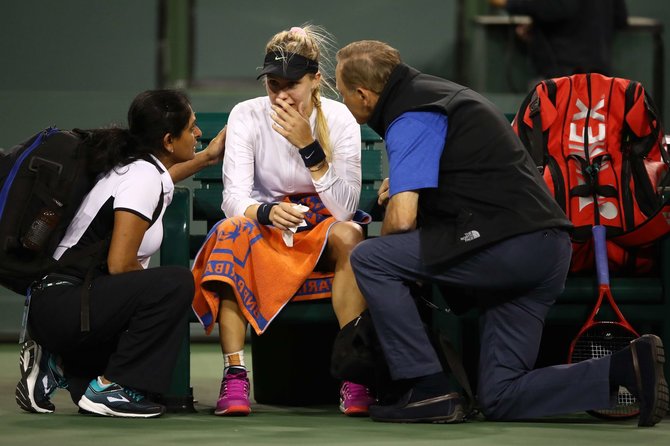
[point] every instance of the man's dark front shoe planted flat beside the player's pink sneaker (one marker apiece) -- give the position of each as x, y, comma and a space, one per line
447, 408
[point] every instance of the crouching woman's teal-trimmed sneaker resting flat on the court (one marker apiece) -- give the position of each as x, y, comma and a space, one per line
113, 400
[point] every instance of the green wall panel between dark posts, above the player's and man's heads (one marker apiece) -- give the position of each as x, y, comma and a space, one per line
231, 36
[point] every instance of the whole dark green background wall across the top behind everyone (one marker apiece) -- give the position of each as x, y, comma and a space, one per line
78, 63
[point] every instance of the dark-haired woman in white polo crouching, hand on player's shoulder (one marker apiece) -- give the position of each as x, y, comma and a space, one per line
131, 346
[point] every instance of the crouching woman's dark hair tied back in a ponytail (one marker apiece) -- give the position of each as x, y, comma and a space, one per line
151, 115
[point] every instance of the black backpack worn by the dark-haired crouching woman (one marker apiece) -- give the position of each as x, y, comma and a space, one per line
43, 181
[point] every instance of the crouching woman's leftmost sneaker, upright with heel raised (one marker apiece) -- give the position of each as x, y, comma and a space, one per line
40, 378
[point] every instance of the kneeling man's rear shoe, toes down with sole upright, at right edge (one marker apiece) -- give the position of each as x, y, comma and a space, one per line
651, 388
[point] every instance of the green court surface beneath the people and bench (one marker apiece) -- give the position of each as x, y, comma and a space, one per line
270, 425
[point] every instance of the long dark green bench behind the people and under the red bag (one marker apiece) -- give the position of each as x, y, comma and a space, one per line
295, 350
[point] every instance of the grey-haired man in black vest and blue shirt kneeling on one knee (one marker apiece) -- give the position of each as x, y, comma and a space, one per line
467, 210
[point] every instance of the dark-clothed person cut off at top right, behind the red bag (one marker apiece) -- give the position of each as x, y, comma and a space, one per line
569, 36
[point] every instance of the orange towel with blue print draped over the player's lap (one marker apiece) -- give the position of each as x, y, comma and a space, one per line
264, 273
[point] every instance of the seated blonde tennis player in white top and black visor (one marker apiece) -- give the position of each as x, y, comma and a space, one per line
292, 181
